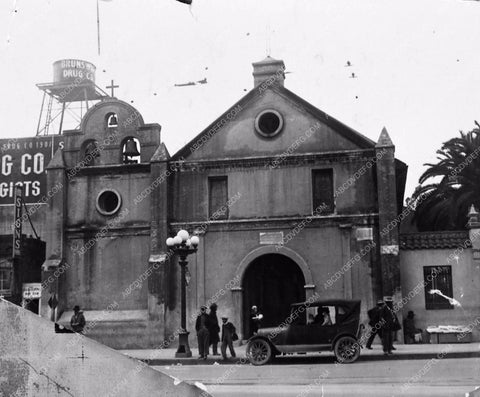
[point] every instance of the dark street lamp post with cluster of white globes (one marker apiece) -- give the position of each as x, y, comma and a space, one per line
183, 245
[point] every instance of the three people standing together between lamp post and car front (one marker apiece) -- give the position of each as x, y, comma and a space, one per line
208, 330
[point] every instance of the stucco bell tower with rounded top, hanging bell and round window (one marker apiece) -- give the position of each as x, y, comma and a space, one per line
110, 167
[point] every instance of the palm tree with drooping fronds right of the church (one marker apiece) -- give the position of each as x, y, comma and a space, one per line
444, 203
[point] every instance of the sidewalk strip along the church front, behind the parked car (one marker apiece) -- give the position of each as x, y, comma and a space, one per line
403, 352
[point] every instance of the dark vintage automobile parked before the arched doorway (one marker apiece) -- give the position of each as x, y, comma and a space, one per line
306, 329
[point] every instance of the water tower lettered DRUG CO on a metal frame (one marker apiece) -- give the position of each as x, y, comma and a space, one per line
70, 95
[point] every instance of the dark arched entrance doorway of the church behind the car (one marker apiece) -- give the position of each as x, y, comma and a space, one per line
272, 282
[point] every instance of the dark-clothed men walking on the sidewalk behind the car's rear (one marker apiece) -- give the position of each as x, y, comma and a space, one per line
384, 322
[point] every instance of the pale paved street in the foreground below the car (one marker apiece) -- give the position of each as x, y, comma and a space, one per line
319, 376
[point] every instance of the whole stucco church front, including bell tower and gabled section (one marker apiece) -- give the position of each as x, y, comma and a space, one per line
288, 202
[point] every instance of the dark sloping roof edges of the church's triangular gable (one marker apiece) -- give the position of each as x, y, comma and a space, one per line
349, 133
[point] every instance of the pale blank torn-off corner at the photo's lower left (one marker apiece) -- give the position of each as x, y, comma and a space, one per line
35, 361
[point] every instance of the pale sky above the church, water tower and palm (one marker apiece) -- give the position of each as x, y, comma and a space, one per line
417, 62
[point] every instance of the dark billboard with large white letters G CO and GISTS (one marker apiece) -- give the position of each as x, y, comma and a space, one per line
23, 162
